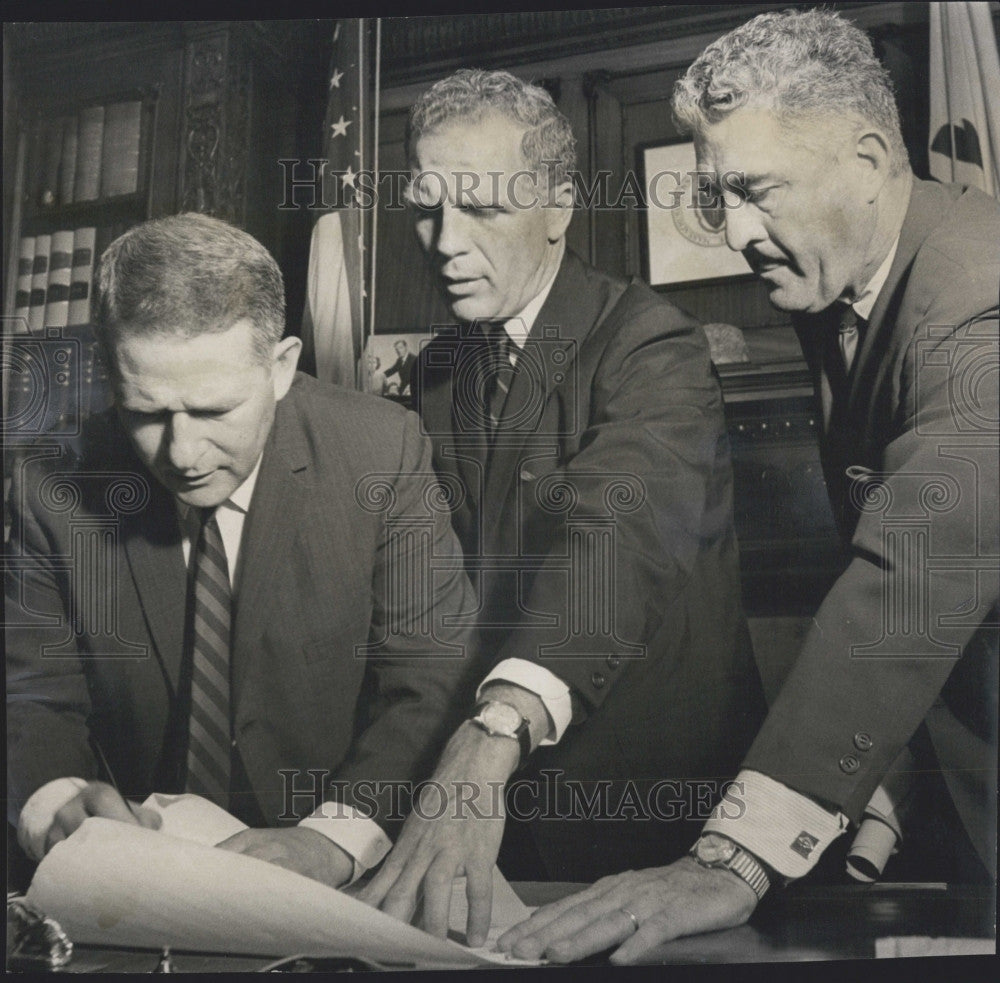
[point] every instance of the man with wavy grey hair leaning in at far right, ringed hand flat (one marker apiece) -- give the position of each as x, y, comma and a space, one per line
893, 283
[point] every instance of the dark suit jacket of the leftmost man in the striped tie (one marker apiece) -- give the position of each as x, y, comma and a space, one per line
316, 587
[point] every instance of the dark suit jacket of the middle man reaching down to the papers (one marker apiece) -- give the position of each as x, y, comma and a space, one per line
599, 532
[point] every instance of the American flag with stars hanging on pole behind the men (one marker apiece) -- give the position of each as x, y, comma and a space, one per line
333, 320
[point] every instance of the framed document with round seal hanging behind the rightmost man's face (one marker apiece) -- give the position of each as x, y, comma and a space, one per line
682, 240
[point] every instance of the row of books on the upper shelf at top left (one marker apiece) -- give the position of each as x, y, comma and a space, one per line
94, 154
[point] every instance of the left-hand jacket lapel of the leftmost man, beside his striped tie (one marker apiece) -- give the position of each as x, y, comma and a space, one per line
152, 543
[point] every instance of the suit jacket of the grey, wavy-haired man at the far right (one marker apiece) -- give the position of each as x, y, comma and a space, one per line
909, 631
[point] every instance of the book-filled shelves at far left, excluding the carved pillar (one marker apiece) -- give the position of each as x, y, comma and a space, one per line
85, 180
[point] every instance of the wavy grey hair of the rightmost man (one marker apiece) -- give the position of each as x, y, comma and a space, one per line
803, 65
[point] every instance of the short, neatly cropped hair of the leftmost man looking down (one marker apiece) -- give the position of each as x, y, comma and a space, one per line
188, 275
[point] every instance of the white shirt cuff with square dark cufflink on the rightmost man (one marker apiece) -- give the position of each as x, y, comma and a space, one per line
781, 827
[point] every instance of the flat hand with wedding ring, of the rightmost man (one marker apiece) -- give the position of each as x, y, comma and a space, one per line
683, 898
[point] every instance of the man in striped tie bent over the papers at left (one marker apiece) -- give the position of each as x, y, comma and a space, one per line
228, 589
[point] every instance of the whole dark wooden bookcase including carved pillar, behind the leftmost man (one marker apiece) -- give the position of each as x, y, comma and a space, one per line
107, 125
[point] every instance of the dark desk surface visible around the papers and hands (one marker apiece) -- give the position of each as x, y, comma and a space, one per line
802, 923
